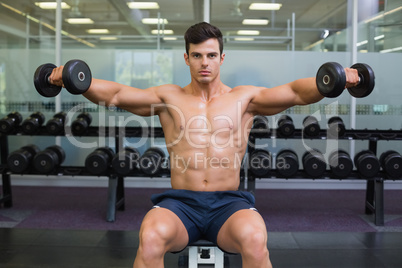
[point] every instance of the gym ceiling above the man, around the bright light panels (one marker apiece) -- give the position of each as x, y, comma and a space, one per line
312, 17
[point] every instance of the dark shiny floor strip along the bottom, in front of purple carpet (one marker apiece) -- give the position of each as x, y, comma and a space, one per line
74, 248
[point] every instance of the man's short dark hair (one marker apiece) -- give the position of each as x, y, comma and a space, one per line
201, 32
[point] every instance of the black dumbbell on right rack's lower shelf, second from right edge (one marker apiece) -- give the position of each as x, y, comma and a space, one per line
367, 163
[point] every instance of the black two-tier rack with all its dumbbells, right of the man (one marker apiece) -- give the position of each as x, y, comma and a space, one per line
339, 165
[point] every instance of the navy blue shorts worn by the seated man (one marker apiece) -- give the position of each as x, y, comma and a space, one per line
203, 213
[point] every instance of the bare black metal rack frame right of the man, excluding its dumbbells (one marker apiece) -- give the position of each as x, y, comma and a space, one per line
374, 203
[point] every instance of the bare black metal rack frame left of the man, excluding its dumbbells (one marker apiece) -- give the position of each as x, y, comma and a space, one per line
116, 199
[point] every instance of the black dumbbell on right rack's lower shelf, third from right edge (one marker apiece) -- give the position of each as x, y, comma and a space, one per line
340, 163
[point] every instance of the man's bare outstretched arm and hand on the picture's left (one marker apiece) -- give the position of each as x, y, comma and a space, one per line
108, 93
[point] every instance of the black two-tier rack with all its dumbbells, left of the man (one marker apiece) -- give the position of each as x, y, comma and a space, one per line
103, 161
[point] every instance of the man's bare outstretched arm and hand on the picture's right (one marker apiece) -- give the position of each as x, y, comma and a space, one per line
270, 101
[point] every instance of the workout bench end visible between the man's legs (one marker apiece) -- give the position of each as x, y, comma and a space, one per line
205, 252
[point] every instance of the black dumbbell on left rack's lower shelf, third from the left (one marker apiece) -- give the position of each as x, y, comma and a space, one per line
99, 161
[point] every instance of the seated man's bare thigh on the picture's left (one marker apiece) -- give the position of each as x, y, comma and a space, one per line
168, 226
